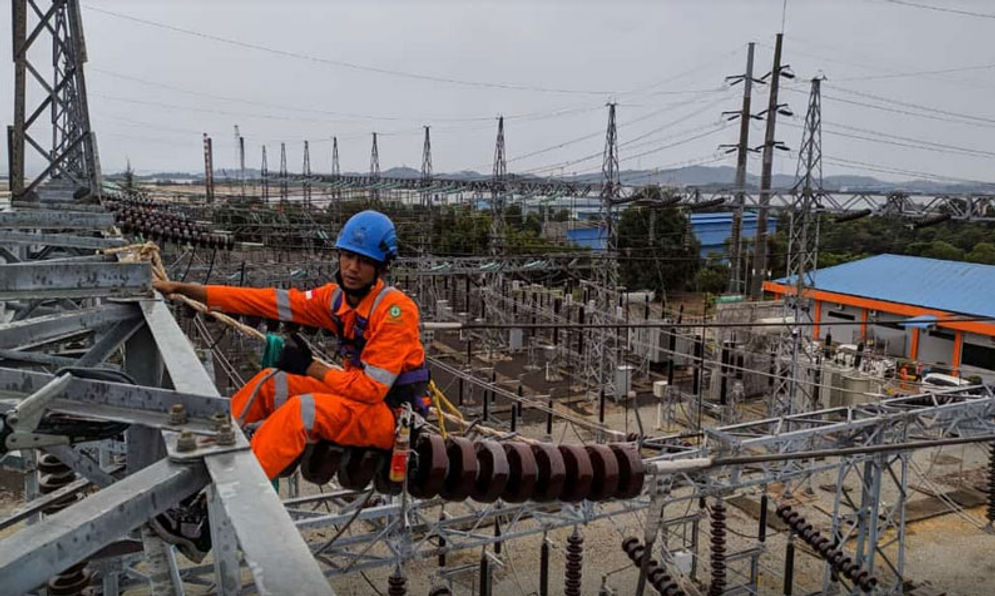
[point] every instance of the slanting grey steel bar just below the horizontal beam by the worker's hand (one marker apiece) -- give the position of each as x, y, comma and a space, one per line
33, 332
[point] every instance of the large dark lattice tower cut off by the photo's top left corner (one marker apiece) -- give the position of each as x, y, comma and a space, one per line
57, 30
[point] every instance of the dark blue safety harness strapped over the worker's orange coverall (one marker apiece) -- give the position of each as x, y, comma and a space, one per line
409, 387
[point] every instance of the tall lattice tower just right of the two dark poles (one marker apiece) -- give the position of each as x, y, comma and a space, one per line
794, 391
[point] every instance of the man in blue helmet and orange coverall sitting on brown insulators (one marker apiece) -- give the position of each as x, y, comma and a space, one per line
302, 399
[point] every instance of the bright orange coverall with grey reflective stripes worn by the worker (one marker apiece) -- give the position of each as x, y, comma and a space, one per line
345, 407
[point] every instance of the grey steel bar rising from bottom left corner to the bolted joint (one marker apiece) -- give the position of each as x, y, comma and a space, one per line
31, 556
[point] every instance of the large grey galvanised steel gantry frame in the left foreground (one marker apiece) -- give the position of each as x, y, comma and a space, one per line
120, 325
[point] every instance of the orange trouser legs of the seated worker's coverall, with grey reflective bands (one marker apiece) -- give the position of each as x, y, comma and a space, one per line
311, 413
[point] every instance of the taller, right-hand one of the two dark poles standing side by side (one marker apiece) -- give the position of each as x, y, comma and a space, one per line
773, 109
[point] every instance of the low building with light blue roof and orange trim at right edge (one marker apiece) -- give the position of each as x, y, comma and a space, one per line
918, 308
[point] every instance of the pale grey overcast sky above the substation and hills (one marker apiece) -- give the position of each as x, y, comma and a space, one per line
324, 68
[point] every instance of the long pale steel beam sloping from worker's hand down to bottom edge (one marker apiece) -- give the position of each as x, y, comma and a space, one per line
274, 550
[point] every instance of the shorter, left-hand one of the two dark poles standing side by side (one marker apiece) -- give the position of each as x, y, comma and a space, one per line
742, 149
